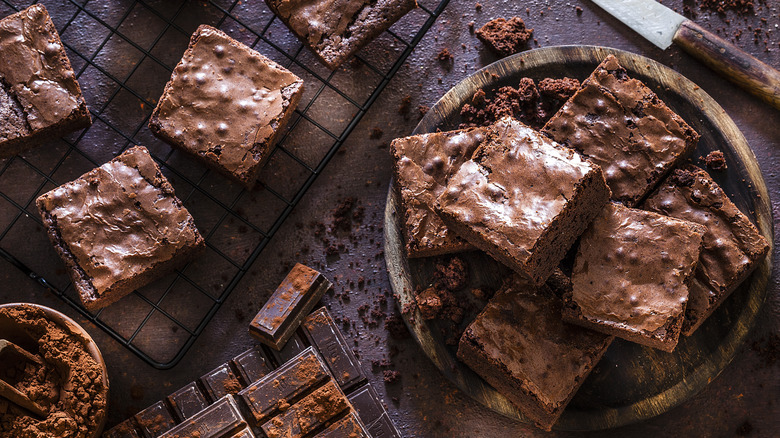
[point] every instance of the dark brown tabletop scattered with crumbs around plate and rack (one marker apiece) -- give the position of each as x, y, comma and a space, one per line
743, 400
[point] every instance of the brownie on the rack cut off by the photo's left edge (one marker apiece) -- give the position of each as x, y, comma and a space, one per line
39, 95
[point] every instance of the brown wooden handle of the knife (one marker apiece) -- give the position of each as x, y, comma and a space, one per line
727, 59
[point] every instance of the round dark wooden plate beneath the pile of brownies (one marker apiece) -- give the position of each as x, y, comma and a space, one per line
631, 382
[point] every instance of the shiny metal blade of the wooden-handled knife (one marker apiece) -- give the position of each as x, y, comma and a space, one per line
652, 20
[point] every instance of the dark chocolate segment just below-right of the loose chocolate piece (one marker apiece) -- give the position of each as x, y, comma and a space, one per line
323, 333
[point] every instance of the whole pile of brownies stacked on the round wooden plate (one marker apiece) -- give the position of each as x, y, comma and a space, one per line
659, 245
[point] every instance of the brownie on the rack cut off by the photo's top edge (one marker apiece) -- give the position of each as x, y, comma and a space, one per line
336, 29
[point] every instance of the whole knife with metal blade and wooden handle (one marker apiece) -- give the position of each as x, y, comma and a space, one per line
662, 27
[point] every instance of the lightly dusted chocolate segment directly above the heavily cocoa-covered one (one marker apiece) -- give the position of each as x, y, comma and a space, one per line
285, 384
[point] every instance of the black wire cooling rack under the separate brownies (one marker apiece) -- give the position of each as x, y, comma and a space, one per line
123, 53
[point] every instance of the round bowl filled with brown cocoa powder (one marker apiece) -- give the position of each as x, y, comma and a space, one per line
70, 383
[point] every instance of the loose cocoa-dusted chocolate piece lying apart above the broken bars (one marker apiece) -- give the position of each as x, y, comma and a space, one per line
291, 302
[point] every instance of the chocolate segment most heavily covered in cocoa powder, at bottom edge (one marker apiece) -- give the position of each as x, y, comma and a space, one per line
309, 414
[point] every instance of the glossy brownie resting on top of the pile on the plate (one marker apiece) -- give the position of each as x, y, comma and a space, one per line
523, 199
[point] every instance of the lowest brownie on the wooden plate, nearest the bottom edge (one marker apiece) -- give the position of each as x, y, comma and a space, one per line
520, 345
